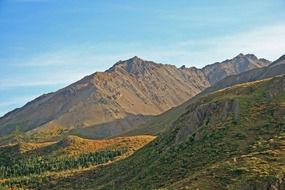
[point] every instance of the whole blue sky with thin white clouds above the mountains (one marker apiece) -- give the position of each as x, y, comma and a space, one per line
48, 44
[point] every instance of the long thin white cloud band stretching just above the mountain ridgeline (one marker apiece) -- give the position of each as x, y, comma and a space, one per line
71, 65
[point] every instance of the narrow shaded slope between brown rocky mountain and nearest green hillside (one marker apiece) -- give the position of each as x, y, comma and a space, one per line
164, 121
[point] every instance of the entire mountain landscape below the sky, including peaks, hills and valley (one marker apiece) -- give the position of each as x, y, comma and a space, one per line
228, 133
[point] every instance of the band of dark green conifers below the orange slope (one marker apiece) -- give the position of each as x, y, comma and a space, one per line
39, 165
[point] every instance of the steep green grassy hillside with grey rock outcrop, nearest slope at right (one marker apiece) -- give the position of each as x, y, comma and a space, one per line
230, 139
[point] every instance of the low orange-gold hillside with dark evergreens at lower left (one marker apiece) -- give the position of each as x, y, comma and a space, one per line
24, 164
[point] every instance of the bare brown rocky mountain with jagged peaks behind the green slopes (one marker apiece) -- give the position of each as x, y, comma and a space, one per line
126, 95
